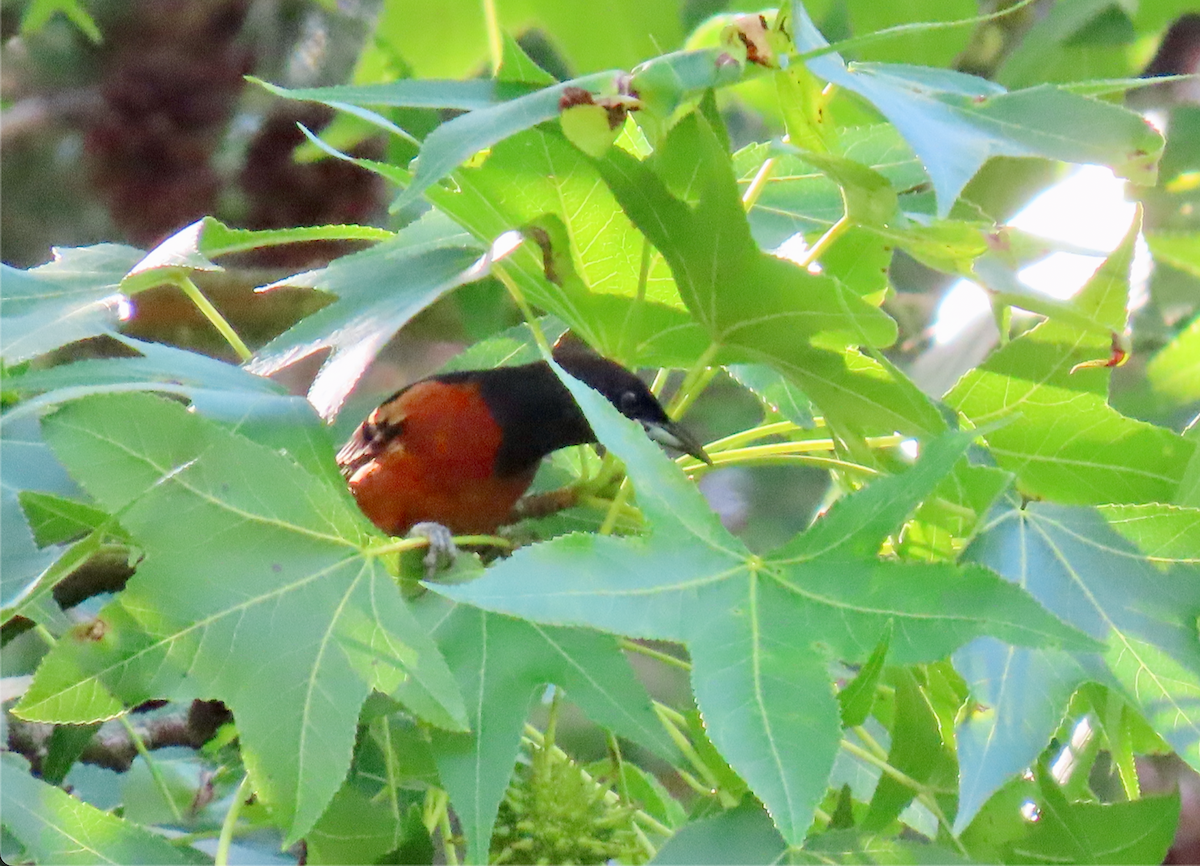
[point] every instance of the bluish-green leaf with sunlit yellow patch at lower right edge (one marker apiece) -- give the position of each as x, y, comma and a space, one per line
1078, 567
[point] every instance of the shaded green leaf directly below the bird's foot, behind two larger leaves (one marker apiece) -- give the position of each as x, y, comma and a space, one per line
501, 665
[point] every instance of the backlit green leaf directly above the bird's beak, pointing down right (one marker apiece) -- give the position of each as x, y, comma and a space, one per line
755, 306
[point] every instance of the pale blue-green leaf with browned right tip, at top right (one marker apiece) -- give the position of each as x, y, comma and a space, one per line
956, 123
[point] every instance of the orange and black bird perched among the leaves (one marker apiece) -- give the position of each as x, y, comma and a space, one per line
455, 452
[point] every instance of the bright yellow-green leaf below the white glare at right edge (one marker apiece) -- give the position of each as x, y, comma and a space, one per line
1065, 442
